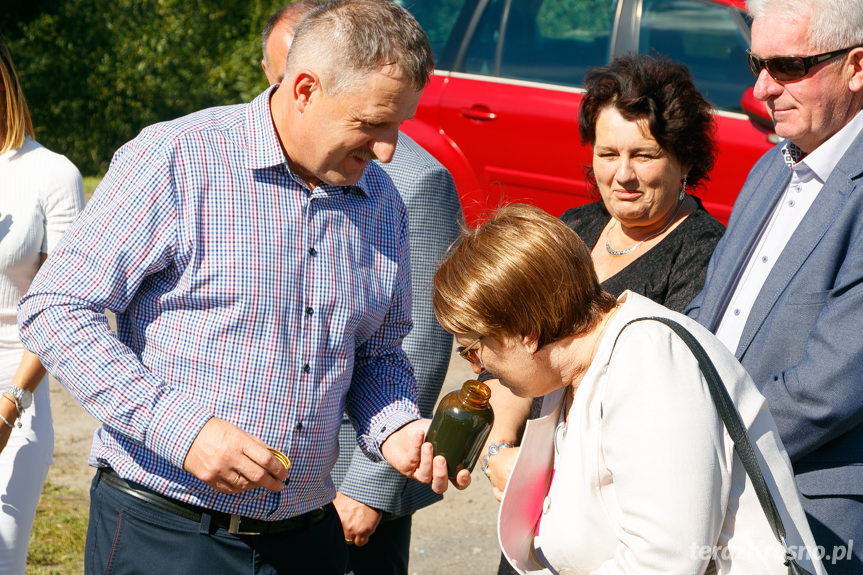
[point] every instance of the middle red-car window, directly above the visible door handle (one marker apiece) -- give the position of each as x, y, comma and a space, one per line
551, 41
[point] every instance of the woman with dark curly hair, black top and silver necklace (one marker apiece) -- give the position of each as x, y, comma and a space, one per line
652, 137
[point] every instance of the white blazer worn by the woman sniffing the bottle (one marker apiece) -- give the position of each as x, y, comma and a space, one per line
645, 477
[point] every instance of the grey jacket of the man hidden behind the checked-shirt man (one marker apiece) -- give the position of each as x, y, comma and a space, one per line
434, 211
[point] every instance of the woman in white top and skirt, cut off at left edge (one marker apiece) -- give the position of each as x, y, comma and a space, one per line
40, 194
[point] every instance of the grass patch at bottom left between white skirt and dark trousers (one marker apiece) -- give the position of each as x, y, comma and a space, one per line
57, 540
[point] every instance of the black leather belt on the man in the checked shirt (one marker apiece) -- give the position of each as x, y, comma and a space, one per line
233, 523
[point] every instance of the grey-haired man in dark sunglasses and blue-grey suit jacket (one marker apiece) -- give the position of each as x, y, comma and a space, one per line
784, 288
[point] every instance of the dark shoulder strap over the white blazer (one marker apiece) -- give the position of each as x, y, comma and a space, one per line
737, 431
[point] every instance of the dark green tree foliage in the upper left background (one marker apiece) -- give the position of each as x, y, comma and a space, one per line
97, 71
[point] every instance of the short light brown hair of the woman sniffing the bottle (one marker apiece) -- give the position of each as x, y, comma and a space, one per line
521, 273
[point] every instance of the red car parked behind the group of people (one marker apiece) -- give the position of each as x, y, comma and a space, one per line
501, 111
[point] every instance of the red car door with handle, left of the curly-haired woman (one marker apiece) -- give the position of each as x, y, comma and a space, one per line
511, 104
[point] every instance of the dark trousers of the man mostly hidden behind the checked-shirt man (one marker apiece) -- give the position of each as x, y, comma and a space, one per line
386, 553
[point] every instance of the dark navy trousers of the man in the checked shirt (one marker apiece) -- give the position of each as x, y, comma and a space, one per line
127, 536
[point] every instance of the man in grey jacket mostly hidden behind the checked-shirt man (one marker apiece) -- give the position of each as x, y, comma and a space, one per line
375, 502
